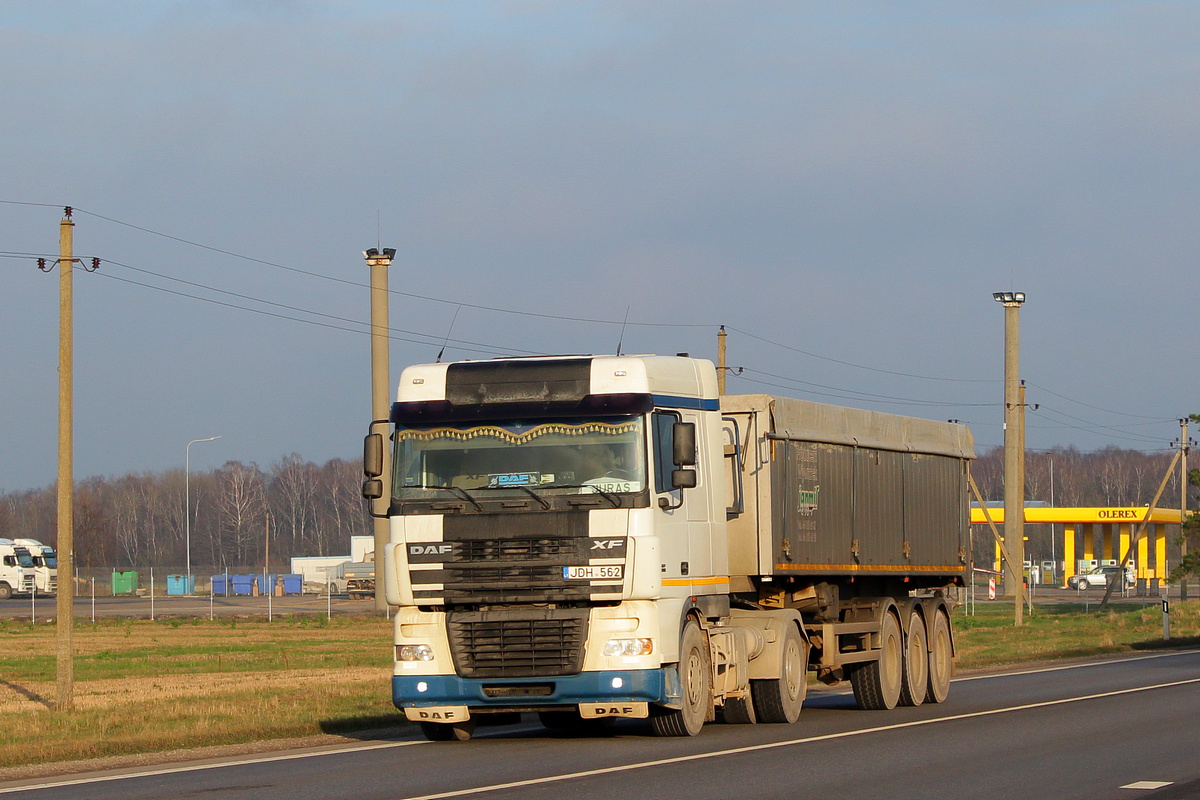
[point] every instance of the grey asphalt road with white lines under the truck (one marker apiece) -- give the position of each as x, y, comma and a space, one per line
1120, 729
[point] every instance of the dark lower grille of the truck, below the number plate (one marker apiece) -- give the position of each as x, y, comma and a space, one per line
518, 643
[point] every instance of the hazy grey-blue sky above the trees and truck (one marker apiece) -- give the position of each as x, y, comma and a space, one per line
843, 187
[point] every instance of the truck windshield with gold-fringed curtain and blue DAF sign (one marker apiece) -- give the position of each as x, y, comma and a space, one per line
583, 455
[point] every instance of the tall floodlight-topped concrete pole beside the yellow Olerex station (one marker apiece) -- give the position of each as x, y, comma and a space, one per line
1015, 440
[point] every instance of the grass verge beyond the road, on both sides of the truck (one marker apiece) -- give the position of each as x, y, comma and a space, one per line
145, 687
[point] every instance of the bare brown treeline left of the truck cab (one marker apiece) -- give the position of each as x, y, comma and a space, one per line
295, 508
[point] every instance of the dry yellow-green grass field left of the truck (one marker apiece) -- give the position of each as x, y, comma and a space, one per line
151, 687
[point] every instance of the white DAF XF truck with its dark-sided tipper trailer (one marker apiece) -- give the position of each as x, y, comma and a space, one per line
590, 538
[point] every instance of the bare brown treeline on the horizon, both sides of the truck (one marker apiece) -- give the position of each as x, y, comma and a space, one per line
305, 509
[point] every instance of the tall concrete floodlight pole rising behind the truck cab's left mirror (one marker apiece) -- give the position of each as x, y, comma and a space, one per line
381, 392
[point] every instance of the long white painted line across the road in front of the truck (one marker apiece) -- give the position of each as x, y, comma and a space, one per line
735, 751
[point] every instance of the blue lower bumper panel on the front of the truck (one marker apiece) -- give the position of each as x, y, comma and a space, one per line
644, 685
